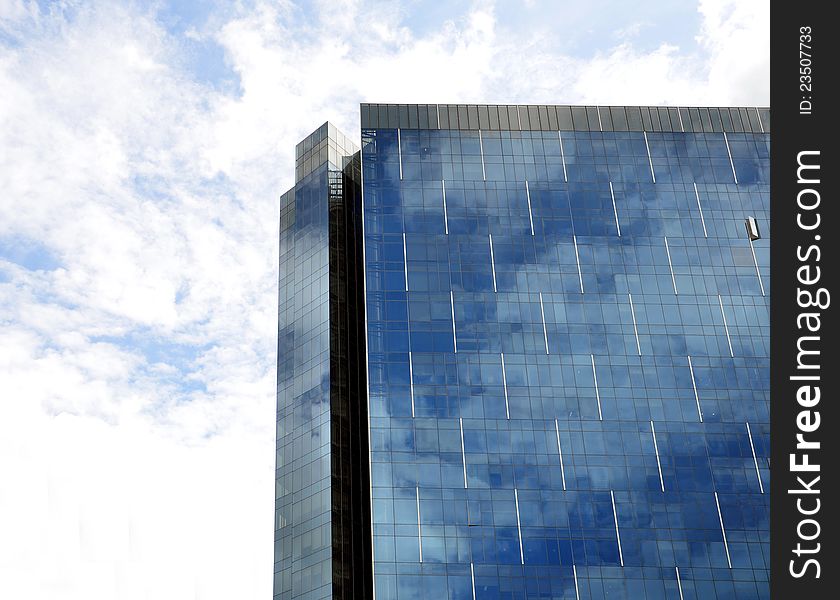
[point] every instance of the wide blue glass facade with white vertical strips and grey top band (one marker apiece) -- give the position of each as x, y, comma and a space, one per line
567, 351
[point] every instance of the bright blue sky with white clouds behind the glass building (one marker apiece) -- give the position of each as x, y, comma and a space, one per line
143, 150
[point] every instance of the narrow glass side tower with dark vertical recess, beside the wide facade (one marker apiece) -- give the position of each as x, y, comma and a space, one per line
322, 540
